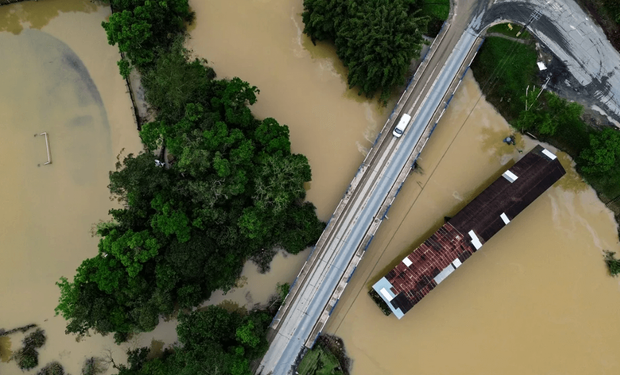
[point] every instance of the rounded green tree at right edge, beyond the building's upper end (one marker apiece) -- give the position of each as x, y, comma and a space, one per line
603, 153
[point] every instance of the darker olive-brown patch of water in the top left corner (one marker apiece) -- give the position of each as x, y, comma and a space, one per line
38, 13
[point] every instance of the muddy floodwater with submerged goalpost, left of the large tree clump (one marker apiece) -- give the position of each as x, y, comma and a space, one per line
58, 76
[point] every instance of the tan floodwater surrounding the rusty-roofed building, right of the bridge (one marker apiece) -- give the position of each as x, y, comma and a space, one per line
535, 299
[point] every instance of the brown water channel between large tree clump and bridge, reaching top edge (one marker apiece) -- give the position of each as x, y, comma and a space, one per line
301, 85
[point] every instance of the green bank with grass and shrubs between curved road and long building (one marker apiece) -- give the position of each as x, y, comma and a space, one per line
505, 69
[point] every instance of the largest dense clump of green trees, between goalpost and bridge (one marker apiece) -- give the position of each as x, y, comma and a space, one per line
232, 191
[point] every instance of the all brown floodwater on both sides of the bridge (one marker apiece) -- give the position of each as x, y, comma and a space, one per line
536, 297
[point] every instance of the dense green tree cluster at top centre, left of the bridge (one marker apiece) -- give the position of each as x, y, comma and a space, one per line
375, 39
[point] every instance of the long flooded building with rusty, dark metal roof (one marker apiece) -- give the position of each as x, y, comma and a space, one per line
464, 234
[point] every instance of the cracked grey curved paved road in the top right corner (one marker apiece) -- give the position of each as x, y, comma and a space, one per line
589, 71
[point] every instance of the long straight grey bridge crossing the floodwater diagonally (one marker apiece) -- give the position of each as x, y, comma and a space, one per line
366, 203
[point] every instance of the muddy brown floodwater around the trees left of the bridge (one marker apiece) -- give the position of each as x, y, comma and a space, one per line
66, 83
